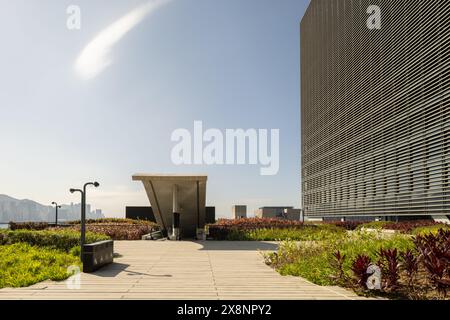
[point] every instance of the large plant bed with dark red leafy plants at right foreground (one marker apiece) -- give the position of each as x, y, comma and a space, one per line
412, 267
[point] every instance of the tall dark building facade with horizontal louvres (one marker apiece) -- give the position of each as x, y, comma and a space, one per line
375, 108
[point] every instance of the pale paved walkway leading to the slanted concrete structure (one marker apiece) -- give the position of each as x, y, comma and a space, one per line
184, 270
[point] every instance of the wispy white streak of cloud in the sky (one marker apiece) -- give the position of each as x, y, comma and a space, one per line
95, 57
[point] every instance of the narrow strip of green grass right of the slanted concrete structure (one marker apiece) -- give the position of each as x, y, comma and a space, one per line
305, 233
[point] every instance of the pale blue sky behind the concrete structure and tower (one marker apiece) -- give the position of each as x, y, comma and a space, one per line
229, 63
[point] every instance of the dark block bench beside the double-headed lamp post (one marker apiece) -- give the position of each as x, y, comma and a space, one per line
97, 255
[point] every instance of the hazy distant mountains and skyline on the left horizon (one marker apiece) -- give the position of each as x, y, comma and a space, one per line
12, 209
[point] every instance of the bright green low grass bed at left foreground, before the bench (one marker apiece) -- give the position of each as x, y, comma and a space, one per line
22, 265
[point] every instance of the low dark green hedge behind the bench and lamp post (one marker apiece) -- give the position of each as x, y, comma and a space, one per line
61, 239
